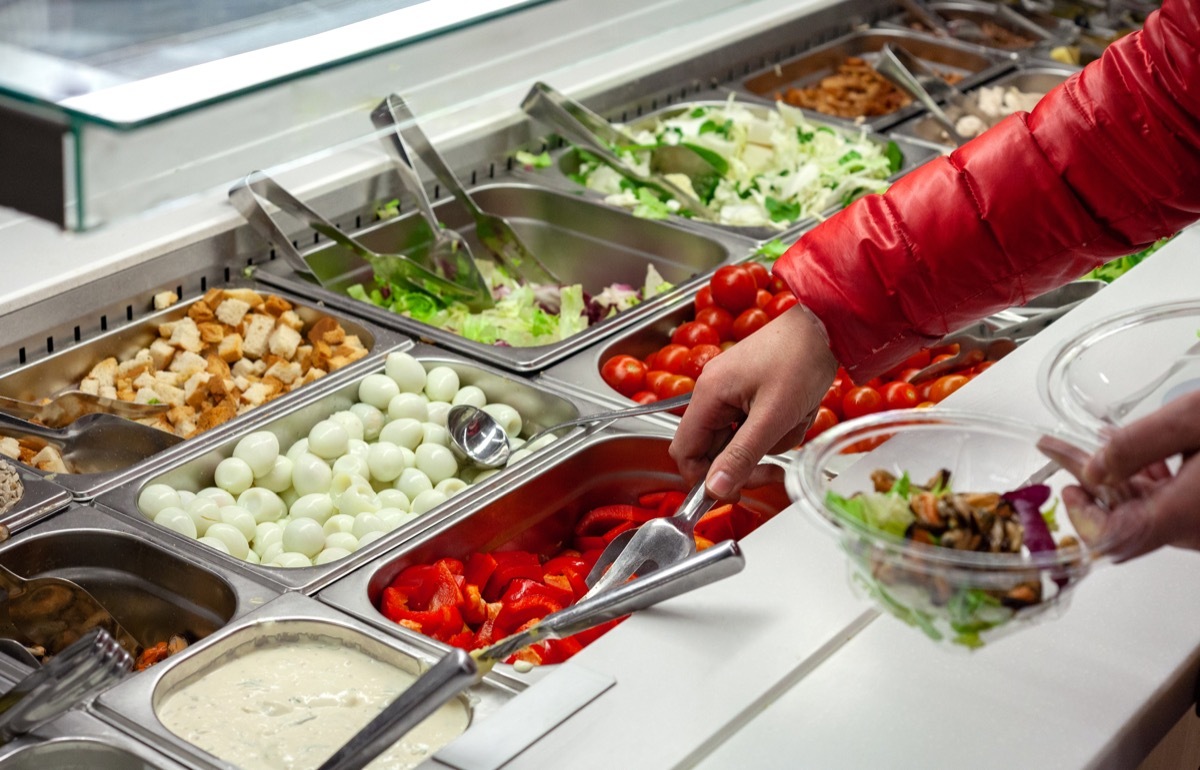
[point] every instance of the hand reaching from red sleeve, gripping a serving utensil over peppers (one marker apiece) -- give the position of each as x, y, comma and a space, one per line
772, 383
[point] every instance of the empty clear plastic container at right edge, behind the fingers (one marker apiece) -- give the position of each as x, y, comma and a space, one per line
1125, 368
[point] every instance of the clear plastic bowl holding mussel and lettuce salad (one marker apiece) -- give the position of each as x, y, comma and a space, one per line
958, 598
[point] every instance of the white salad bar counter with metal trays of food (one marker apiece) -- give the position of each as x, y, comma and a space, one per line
244, 446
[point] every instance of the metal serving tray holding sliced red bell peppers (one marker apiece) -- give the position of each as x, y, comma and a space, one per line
536, 513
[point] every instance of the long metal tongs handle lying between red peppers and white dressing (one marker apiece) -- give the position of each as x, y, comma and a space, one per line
458, 671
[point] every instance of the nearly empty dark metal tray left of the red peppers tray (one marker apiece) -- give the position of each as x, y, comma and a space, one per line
152, 588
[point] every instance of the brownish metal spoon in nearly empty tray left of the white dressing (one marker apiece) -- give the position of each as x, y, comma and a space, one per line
55, 613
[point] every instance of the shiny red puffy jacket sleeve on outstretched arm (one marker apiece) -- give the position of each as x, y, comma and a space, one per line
1105, 165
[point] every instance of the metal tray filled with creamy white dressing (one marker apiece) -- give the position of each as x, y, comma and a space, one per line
133, 706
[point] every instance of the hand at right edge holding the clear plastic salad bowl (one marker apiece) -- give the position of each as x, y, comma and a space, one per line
1129, 498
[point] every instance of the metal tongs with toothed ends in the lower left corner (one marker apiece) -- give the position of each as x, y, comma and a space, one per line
92, 663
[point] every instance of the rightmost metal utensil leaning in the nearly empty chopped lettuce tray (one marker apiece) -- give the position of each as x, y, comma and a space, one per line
494, 232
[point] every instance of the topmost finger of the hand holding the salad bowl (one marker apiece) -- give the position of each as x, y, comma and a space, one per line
1167, 432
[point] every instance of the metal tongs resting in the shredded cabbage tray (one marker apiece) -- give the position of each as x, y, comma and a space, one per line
596, 135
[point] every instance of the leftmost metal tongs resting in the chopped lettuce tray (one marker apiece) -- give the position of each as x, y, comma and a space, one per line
434, 278
